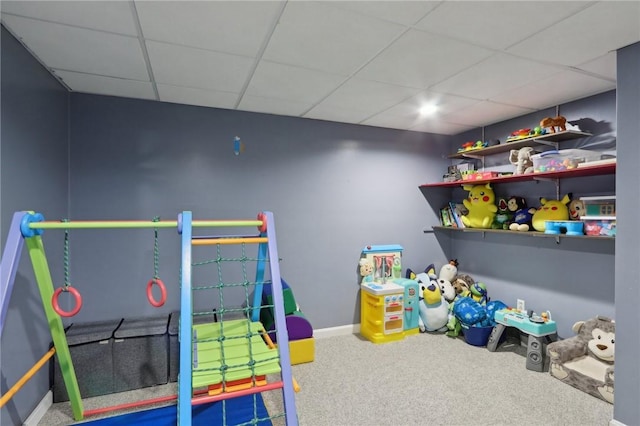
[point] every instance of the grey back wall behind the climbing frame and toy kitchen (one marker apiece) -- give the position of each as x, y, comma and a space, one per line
333, 188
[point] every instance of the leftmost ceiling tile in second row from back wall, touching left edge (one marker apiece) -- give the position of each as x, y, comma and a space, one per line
75, 49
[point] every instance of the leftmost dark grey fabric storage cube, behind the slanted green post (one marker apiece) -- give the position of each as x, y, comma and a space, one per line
90, 346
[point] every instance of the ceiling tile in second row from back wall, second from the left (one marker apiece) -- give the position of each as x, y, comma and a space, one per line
190, 67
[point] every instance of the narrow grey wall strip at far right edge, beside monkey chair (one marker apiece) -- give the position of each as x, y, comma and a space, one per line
627, 261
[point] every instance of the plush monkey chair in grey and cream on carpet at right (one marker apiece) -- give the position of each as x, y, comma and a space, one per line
586, 361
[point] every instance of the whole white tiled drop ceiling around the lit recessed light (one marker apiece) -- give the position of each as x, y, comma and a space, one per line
372, 63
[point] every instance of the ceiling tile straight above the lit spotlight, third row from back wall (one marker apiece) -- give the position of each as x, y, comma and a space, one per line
418, 59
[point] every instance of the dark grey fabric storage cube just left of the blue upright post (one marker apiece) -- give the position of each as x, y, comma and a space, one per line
140, 356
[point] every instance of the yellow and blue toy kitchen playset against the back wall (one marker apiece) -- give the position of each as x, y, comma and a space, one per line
388, 303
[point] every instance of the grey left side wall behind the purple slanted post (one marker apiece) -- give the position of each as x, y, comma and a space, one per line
33, 173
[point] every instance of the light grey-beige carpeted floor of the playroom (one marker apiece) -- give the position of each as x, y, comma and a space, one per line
427, 379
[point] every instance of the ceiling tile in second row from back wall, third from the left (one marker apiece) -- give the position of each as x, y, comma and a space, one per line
285, 82
